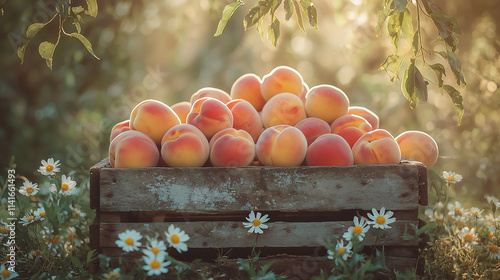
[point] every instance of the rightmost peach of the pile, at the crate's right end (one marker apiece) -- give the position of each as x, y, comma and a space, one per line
419, 146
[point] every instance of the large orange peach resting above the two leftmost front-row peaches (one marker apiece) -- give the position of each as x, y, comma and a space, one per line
153, 118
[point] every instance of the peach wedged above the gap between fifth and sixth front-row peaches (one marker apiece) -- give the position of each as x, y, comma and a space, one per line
350, 127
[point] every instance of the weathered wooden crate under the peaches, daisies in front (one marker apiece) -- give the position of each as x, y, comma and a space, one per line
305, 206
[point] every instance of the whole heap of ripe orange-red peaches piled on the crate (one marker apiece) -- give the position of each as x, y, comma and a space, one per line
273, 121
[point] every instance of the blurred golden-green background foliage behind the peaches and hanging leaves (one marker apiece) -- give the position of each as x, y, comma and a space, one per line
166, 50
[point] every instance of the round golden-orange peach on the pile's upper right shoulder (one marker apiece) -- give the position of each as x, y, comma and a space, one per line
326, 102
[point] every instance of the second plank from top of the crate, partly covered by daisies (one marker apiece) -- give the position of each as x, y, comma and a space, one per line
279, 234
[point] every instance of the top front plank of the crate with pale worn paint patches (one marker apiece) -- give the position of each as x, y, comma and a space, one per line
218, 189
